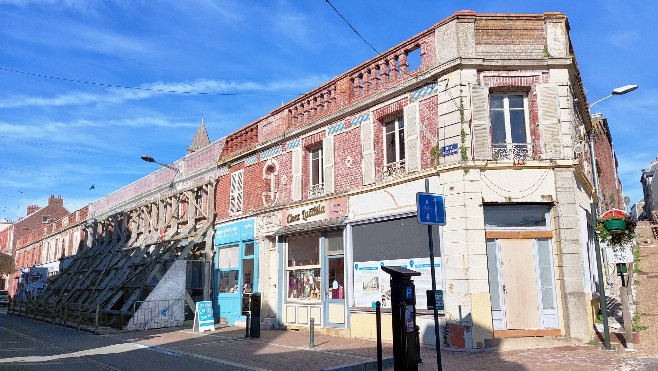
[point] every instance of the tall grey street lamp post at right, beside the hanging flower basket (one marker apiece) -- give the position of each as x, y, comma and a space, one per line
594, 211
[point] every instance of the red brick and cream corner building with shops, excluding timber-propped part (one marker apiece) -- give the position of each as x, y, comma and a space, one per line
318, 194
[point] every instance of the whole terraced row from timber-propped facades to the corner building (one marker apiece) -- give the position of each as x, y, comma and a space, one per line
306, 204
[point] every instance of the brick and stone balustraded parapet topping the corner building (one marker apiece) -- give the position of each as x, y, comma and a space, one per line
498, 42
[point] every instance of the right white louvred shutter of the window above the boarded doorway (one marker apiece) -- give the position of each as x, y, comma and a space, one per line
549, 124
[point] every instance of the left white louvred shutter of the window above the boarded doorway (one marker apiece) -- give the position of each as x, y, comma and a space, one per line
481, 140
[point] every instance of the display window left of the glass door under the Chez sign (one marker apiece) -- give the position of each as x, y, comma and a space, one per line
303, 256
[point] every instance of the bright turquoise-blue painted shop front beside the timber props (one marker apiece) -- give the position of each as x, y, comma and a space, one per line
236, 268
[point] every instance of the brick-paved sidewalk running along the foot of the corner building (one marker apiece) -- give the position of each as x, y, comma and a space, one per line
288, 350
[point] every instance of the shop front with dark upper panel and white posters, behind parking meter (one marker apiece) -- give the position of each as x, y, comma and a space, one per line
384, 241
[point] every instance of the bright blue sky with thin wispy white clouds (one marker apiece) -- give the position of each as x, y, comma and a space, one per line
59, 136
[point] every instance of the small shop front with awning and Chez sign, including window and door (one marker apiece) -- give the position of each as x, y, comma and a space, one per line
312, 268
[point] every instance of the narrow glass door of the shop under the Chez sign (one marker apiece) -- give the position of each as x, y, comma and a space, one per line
334, 280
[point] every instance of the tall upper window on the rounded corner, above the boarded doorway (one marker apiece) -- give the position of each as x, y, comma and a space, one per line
509, 126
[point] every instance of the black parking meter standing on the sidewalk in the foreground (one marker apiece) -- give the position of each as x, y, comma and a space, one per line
403, 306
